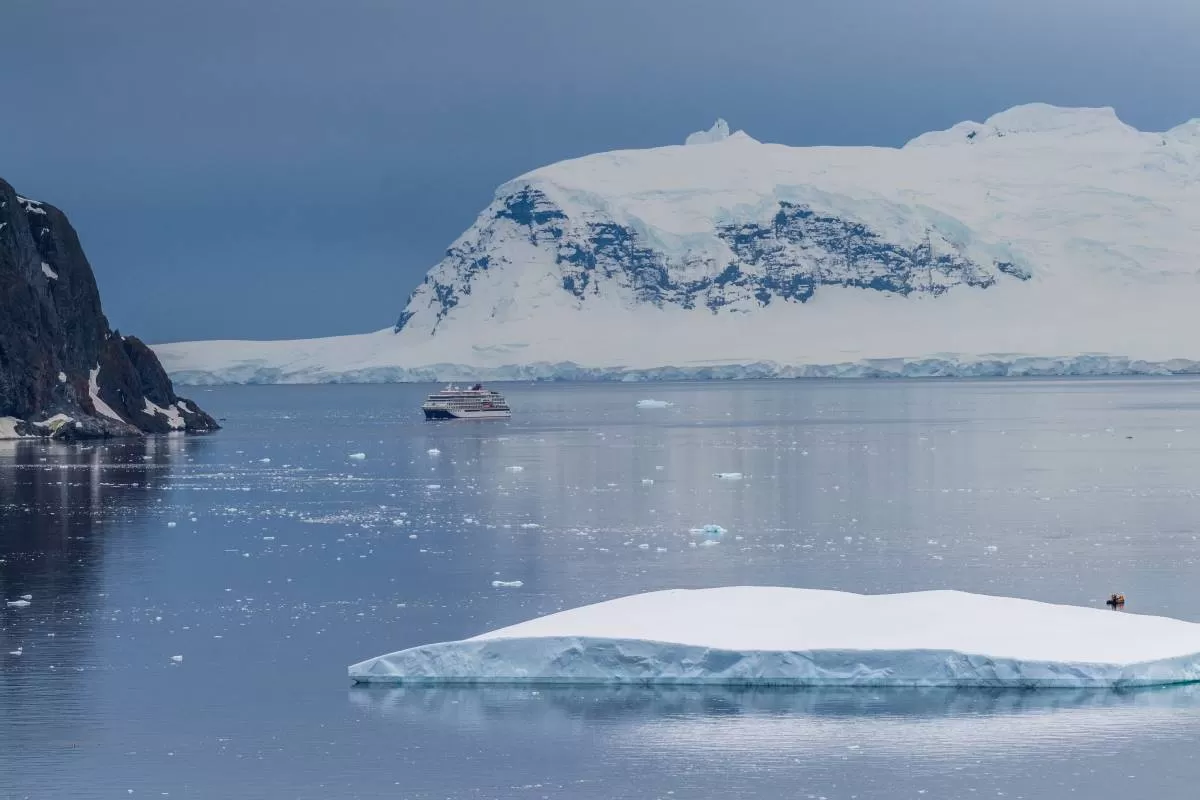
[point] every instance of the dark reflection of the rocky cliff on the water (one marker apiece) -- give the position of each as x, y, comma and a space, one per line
58, 507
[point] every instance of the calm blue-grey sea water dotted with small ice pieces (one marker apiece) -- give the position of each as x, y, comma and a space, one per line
269, 561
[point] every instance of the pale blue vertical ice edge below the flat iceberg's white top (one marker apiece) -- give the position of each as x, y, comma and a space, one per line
577, 661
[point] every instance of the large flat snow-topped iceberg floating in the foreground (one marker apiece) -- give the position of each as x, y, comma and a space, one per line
777, 636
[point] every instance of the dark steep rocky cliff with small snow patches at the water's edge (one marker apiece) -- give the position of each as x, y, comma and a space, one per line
64, 372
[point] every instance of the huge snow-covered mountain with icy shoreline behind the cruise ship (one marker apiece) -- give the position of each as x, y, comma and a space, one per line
1043, 240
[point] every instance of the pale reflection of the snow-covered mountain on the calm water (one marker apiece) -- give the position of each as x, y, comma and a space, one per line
878, 488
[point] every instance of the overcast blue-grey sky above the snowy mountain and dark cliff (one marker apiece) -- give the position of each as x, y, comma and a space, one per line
292, 169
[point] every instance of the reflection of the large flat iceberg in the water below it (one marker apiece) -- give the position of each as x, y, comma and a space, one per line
693, 718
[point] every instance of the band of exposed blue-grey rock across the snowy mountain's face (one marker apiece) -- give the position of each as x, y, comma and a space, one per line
787, 260
